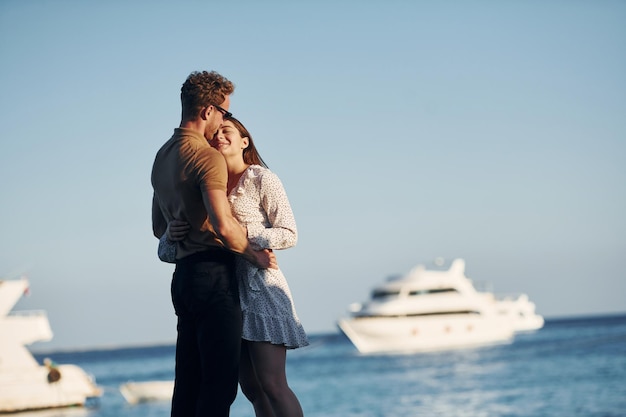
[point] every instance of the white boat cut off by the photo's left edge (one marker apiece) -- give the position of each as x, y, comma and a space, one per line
24, 383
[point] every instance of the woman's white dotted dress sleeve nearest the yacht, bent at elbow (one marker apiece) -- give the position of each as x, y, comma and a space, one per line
282, 232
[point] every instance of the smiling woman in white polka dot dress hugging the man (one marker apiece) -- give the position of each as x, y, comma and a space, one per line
270, 323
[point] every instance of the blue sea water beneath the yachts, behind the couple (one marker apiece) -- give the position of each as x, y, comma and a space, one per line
573, 367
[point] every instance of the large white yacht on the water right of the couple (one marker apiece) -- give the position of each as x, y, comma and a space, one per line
429, 310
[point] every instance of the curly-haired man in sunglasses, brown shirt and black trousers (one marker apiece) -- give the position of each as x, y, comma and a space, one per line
189, 179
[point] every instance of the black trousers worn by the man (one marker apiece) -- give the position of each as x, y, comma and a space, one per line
206, 301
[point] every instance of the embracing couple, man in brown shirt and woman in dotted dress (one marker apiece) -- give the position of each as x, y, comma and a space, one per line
219, 213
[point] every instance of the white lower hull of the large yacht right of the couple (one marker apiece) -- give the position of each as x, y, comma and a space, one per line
424, 333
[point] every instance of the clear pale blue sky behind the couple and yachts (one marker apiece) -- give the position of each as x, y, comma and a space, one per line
494, 131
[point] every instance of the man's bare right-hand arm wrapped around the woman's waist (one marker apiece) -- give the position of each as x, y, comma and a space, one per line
232, 234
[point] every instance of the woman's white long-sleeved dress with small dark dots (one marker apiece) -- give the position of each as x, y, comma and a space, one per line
259, 202
